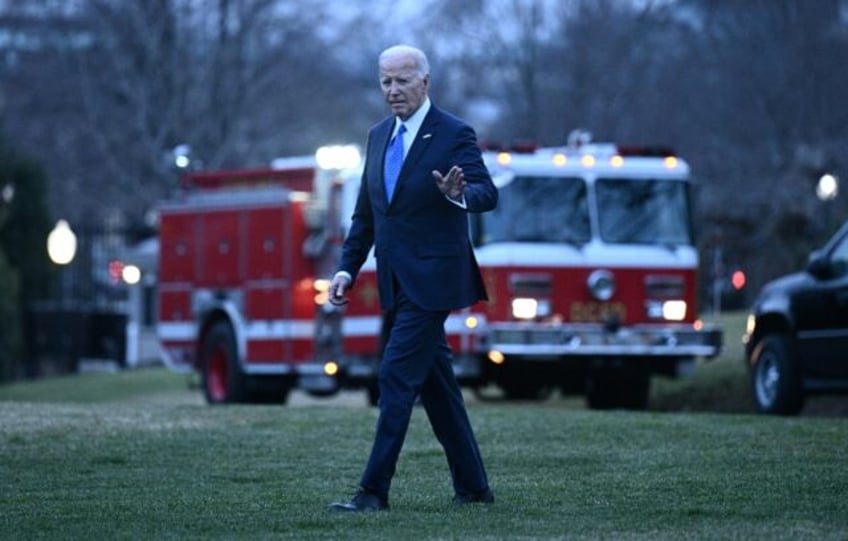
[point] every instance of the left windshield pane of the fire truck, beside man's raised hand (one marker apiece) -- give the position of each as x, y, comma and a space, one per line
537, 209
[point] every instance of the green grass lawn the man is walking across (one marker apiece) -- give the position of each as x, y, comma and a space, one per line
137, 455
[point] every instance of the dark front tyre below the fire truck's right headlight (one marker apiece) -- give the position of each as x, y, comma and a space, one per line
618, 387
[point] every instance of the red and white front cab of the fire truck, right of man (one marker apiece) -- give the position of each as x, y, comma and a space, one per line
591, 264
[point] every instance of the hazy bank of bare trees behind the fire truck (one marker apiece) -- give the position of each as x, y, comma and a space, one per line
750, 92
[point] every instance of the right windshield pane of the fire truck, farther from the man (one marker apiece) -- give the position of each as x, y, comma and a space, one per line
636, 211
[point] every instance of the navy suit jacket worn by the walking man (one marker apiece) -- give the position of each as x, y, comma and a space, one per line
421, 240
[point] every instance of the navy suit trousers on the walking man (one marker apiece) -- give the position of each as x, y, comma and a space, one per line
417, 361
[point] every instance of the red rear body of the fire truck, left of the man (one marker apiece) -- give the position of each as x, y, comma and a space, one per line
243, 261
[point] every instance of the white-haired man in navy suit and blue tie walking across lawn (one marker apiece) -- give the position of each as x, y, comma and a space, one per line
423, 175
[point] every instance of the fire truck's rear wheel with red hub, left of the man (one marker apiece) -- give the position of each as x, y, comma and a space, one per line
223, 381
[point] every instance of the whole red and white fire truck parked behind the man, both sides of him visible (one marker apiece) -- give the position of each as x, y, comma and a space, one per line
589, 260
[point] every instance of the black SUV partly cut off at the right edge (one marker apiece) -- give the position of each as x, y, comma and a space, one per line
796, 341
